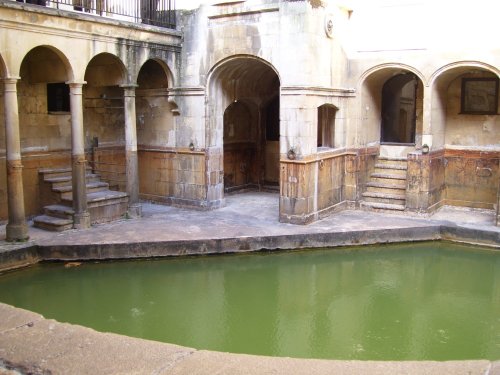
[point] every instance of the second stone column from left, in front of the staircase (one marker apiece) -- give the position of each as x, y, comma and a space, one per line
81, 217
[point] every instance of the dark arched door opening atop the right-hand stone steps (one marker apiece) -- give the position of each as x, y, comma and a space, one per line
399, 106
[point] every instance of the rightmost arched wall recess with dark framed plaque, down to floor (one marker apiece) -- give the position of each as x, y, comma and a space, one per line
465, 130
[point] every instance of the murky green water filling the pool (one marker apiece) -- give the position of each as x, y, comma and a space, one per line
432, 301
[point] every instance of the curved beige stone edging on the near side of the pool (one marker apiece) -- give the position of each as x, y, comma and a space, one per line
31, 344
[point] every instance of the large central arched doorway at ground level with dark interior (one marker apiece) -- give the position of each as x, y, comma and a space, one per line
244, 104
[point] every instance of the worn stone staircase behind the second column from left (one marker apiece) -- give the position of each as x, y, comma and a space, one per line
56, 196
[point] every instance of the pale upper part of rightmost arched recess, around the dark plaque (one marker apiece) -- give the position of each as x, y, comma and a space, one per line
450, 126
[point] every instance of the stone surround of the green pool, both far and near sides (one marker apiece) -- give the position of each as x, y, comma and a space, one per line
30, 343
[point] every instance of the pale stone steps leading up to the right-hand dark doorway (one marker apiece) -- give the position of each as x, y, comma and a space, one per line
386, 190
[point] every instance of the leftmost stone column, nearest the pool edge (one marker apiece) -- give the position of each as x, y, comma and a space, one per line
17, 229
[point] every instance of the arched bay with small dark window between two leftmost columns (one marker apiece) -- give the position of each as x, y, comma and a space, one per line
44, 119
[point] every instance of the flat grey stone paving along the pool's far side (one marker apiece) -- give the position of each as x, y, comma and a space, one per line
246, 215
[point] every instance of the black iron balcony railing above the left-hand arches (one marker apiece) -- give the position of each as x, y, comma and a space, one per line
151, 12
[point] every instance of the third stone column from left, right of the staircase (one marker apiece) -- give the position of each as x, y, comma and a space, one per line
131, 161
